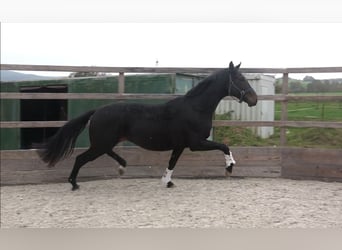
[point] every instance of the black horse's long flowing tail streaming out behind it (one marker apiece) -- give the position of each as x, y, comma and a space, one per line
62, 144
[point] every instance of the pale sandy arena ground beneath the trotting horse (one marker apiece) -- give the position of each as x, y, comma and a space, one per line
193, 203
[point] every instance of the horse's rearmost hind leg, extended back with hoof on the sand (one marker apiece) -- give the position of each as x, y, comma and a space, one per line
81, 160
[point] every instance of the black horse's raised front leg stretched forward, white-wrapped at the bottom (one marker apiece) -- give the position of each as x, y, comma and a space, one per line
205, 145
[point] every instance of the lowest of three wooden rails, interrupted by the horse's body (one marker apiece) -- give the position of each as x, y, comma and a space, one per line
216, 123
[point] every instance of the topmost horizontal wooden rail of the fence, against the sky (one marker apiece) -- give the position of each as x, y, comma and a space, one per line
60, 68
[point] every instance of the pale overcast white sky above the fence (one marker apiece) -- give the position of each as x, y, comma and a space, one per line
173, 44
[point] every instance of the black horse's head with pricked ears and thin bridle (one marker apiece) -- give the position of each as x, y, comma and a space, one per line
239, 87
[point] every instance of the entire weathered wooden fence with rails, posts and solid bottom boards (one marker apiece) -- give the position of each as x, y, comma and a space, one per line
264, 162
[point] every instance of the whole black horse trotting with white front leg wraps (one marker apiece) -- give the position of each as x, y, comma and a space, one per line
184, 122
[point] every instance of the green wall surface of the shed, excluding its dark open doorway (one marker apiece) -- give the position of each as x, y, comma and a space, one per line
141, 83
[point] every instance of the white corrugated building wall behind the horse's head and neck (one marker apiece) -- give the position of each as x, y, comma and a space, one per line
263, 111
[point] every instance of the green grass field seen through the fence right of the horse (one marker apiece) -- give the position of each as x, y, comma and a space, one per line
297, 137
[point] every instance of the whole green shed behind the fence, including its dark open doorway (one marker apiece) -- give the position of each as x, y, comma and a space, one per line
60, 110
